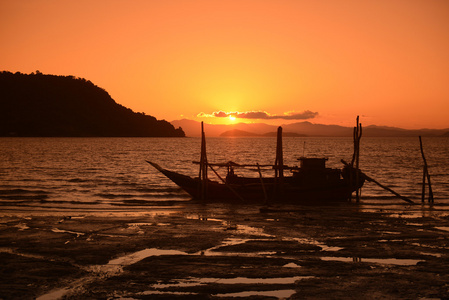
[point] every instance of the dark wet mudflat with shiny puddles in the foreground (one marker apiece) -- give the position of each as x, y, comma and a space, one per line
224, 251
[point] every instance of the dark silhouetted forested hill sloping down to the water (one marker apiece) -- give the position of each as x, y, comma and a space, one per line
49, 105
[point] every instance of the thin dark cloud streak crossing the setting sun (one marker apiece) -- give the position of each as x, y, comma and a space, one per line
262, 115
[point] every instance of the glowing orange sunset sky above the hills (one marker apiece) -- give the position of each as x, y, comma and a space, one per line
385, 60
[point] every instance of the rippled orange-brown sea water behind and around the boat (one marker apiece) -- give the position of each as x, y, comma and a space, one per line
98, 174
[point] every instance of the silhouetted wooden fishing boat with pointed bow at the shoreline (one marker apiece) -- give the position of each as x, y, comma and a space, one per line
309, 183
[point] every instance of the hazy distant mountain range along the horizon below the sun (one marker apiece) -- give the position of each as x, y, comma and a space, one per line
193, 128
